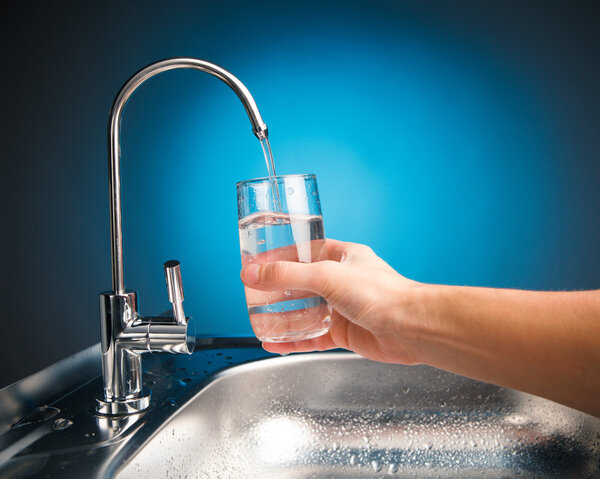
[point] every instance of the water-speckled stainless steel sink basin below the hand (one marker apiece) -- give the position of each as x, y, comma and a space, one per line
338, 415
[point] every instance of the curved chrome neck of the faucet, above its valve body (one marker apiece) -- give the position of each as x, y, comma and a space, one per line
114, 128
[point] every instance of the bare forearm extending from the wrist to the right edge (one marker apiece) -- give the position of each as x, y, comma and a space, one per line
544, 343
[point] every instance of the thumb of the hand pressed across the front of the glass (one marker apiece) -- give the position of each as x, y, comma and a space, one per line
284, 275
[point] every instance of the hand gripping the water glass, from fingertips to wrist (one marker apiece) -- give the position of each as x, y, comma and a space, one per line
371, 302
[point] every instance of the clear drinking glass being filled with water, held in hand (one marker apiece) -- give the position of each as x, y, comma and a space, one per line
280, 219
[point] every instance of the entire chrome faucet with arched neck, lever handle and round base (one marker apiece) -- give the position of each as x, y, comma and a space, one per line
126, 334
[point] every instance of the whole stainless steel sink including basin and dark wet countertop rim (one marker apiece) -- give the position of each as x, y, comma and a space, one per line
232, 410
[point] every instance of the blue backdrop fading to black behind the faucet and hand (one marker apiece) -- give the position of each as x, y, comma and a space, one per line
458, 139
